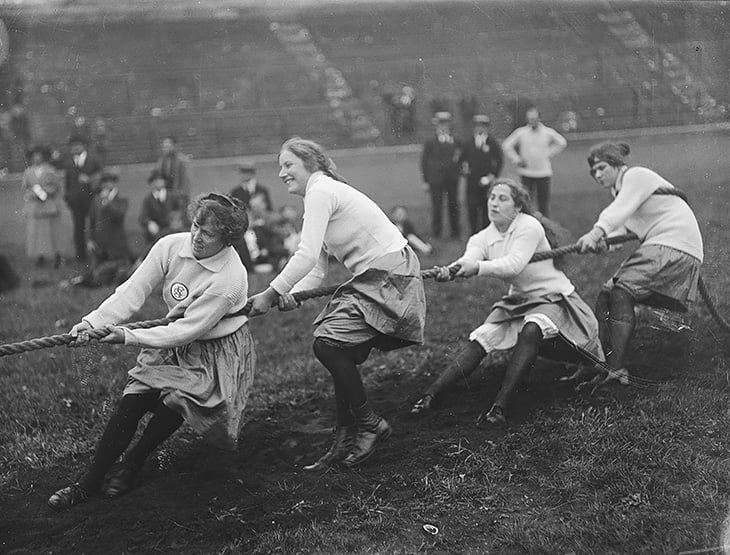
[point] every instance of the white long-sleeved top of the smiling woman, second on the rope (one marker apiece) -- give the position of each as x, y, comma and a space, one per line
341, 221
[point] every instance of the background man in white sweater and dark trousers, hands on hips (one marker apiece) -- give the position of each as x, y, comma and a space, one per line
531, 148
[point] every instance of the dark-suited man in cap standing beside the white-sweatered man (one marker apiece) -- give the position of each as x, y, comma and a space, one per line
481, 162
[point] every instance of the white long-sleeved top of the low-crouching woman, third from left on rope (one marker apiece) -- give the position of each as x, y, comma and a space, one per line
507, 256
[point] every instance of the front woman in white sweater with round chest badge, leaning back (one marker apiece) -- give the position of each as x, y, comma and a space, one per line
199, 368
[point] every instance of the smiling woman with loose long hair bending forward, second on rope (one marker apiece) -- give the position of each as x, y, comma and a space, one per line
382, 306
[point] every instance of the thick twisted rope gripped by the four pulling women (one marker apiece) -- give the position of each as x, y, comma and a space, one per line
299, 296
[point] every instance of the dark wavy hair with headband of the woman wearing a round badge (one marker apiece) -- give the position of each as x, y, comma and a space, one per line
226, 214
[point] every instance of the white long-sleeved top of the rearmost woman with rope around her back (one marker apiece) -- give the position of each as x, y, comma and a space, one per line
657, 219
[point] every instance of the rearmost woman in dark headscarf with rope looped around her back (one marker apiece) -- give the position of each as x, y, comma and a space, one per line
664, 270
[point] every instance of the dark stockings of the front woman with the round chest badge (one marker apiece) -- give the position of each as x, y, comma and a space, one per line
120, 431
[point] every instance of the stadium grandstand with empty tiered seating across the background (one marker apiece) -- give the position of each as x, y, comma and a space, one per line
231, 78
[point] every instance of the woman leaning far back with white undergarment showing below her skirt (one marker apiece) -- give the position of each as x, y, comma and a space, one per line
542, 313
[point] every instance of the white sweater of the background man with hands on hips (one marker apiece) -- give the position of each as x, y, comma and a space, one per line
536, 148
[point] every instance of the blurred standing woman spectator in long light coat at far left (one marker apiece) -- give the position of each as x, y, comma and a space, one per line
41, 186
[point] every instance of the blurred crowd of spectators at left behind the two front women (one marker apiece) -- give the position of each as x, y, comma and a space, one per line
76, 178
